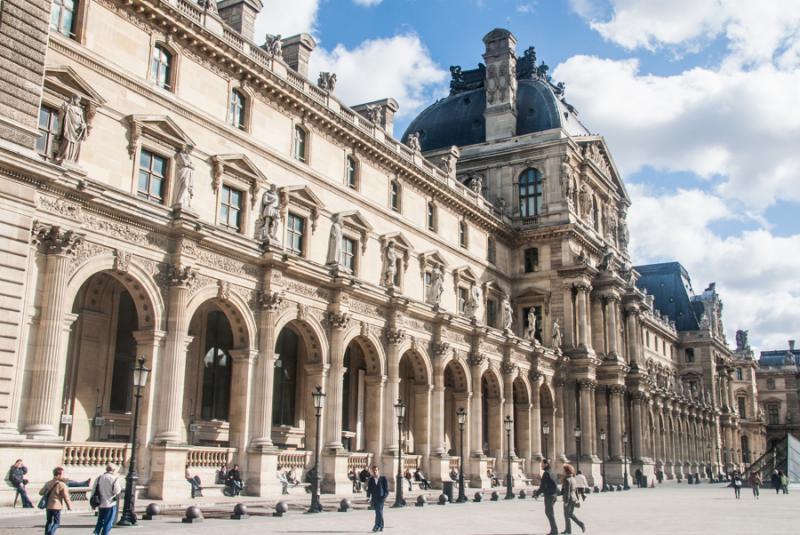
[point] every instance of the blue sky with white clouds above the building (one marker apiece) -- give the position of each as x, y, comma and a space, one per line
699, 101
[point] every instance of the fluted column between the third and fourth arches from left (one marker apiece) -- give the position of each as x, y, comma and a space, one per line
337, 323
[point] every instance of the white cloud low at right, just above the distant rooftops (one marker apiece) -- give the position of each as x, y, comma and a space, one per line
755, 271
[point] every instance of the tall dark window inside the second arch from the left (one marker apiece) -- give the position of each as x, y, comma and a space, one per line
217, 366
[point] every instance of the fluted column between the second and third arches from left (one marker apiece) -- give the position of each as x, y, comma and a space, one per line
265, 371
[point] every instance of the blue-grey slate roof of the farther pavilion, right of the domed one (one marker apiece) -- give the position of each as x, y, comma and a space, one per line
671, 287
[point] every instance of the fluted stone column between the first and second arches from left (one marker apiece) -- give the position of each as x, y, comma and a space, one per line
173, 365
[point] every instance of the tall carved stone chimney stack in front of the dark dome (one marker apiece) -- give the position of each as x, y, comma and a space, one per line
501, 85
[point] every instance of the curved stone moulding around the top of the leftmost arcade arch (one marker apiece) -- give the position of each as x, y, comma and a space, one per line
149, 303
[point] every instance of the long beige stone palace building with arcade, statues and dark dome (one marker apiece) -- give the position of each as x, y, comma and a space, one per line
173, 190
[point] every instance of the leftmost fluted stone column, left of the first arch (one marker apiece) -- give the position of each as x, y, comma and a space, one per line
48, 365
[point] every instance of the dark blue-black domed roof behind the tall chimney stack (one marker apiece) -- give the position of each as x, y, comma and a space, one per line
458, 118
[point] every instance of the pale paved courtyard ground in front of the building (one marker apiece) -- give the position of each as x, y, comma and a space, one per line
669, 509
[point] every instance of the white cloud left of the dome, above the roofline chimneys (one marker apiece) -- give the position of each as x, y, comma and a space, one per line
398, 67
